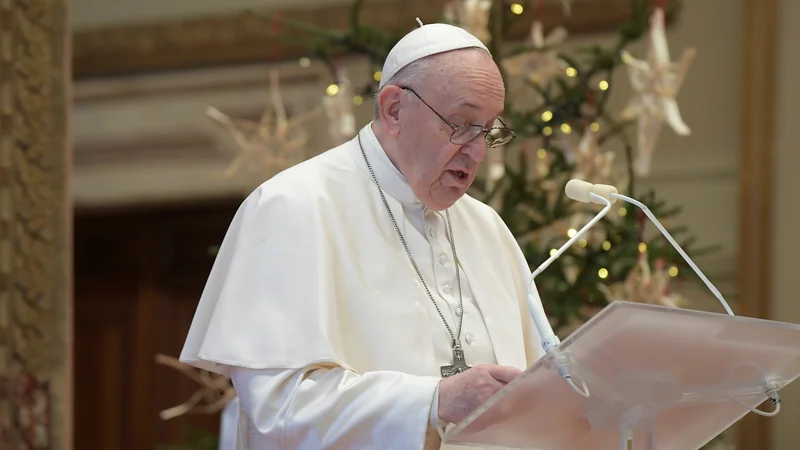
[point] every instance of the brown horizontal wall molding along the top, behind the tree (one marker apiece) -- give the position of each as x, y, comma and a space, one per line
250, 37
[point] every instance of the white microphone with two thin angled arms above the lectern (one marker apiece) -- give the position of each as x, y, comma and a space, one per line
607, 195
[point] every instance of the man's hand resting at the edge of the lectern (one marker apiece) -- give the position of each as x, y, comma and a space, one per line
461, 394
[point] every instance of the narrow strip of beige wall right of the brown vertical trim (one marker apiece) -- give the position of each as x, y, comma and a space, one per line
786, 240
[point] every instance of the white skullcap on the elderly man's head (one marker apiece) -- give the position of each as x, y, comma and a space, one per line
425, 41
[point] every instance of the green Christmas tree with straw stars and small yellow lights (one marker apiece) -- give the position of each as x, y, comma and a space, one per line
557, 103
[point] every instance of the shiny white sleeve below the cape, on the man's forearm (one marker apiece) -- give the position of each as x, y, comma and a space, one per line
316, 408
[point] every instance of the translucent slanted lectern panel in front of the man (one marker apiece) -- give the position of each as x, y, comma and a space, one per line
650, 369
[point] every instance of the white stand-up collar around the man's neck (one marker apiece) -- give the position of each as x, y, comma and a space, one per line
389, 177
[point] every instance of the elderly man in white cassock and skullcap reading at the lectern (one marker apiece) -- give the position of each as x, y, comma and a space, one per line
361, 300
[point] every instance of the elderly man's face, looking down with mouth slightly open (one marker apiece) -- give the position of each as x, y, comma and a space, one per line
467, 89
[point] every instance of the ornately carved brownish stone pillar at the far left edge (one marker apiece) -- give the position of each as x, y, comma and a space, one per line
35, 226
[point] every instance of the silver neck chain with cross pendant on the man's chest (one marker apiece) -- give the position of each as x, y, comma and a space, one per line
459, 364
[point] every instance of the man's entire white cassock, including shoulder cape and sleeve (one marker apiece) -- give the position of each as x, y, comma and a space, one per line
315, 311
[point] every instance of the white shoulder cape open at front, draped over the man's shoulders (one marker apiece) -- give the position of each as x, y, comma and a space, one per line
311, 272
